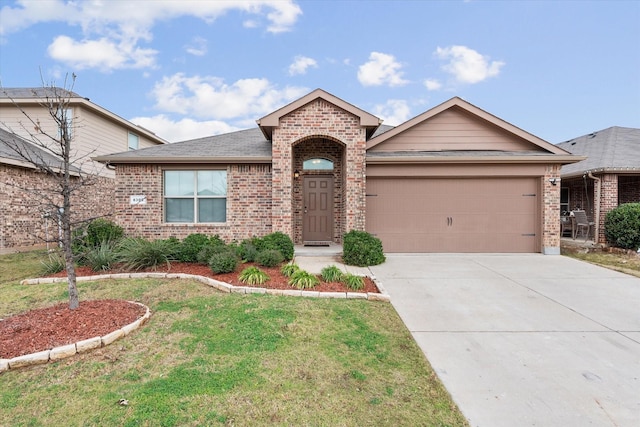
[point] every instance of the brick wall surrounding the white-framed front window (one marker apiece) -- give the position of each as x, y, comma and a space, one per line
248, 203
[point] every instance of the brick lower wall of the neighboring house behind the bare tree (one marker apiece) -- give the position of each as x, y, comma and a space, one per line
26, 219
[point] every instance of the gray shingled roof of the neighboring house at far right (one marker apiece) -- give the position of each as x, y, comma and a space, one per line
615, 149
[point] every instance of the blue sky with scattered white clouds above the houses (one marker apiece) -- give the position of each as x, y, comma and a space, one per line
186, 69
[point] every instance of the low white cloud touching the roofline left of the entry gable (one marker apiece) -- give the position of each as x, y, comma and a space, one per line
184, 129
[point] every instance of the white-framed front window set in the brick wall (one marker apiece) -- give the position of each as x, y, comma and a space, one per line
192, 196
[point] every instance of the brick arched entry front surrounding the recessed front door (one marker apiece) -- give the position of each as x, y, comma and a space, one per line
320, 119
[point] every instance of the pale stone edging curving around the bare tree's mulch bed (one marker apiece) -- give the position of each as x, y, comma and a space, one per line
69, 350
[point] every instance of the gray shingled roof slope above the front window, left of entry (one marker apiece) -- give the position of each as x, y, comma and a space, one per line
246, 146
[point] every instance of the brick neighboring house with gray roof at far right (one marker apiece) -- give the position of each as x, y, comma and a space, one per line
610, 175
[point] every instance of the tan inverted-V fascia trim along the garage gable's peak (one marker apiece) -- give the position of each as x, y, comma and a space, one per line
476, 111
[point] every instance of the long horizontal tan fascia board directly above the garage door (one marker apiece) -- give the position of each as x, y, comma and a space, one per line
555, 159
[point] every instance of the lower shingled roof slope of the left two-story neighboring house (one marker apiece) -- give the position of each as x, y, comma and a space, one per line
17, 151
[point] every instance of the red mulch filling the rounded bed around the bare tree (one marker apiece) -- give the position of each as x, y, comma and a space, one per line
46, 328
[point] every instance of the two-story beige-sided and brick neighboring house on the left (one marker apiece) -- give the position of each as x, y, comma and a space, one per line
24, 221
